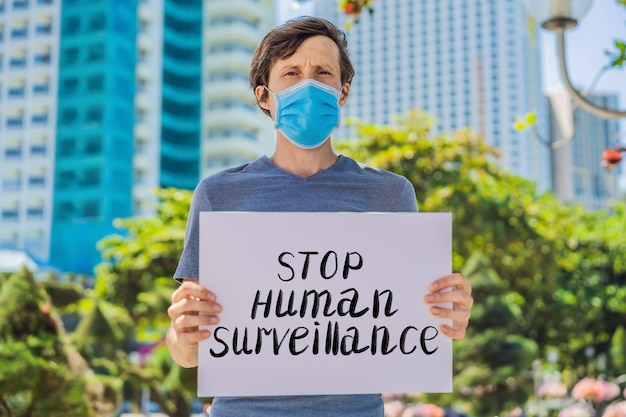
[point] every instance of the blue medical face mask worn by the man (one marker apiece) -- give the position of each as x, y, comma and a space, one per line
307, 112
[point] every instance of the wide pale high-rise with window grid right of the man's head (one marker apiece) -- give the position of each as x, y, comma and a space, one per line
472, 63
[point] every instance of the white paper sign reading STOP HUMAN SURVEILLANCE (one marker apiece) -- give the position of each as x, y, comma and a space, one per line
324, 303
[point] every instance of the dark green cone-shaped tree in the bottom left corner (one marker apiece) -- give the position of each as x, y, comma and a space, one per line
41, 374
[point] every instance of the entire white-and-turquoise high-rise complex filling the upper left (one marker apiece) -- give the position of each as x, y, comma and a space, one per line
151, 93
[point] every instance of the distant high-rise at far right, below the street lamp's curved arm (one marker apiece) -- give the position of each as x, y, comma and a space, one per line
578, 174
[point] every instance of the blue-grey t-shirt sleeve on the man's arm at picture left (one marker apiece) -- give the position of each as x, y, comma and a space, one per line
189, 260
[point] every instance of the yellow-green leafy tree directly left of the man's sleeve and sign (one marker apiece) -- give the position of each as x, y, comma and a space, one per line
125, 315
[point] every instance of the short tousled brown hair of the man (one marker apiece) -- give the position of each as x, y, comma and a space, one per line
283, 41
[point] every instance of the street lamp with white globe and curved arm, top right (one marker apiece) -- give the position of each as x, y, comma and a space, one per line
559, 16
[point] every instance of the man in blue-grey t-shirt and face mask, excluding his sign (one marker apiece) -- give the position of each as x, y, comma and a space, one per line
301, 77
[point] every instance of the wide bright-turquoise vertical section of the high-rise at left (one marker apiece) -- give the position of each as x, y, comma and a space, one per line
95, 143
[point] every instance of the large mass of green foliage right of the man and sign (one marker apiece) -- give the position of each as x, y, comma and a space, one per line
544, 275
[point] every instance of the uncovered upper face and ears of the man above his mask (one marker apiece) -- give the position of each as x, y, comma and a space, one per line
316, 58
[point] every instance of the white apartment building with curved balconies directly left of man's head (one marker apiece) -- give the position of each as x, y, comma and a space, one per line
234, 130
